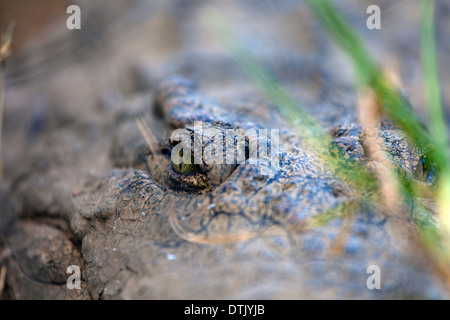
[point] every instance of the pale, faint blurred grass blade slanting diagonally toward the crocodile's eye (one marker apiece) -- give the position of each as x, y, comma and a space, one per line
306, 126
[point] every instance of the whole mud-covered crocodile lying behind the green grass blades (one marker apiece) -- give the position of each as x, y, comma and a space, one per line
104, 194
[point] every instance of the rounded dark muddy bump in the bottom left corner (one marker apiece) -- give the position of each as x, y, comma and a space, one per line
42, 255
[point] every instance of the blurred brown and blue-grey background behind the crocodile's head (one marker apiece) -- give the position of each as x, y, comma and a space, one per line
59, 78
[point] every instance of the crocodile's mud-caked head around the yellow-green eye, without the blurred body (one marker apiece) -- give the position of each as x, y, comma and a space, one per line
218, 223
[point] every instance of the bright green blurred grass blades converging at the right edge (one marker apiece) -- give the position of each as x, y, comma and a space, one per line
432, 141
